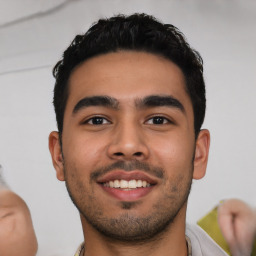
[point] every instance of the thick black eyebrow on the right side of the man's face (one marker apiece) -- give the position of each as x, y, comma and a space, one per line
160, 101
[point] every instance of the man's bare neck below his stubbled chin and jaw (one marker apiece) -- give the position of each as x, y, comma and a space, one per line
170, 242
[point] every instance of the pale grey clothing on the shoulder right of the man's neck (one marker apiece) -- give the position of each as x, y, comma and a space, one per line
202, 243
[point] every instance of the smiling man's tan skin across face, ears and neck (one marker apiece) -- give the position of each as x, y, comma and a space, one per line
129, 133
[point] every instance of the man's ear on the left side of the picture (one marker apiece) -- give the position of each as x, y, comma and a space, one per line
57, 159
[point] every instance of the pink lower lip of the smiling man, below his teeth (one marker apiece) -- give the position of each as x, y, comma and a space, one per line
127, 195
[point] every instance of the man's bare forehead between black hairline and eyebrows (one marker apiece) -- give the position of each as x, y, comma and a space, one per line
126, 75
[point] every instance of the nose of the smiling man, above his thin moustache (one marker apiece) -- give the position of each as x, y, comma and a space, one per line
128, 143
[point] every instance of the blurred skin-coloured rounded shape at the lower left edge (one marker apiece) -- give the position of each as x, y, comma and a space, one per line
16, 228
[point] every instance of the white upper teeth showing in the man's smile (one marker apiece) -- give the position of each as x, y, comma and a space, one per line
126, 185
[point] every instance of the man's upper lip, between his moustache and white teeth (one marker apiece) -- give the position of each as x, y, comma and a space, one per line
124, 175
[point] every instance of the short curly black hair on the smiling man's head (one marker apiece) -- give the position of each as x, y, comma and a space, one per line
137, 32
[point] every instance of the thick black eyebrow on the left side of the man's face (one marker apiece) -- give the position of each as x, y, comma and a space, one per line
104, 101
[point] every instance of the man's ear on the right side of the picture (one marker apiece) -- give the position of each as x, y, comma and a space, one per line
201, 154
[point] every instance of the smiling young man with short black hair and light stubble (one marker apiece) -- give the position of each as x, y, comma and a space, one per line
130, 101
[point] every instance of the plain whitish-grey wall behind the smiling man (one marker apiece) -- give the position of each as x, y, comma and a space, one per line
33, 35
